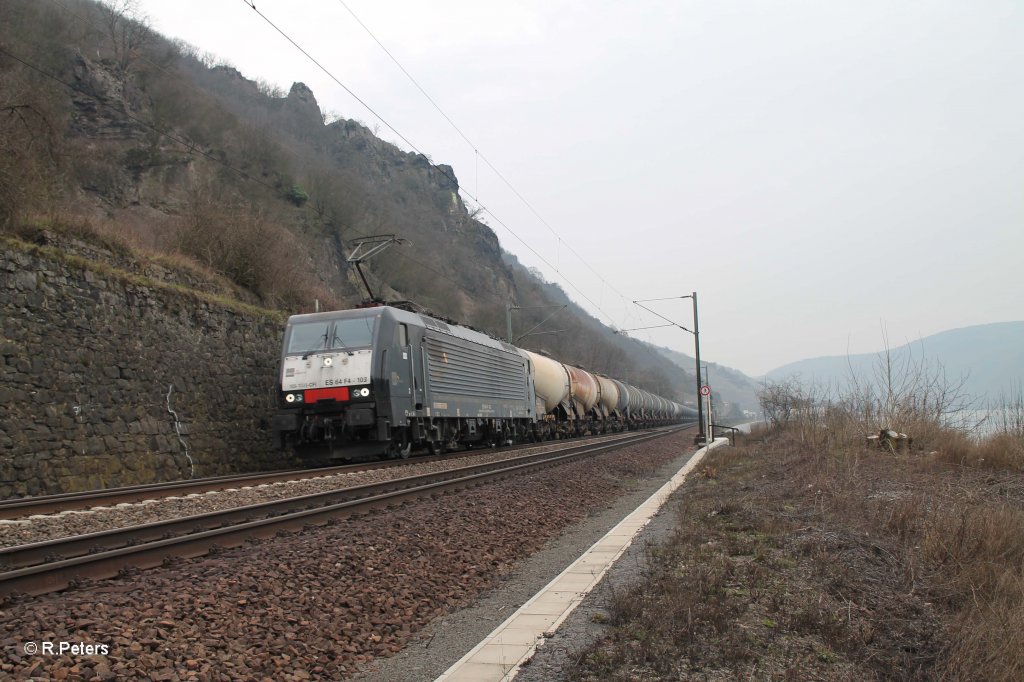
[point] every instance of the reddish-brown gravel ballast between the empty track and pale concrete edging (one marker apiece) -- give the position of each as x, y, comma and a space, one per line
330, 603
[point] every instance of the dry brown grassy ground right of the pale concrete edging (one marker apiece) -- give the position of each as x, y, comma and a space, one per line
798, 563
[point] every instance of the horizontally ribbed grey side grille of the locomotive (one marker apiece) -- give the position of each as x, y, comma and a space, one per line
483, 373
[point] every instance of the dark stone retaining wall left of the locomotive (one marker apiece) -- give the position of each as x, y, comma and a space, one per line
93, 359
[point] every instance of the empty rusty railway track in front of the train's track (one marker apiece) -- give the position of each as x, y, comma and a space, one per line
54, 566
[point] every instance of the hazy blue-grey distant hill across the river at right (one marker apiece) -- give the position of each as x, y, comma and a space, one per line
991, 358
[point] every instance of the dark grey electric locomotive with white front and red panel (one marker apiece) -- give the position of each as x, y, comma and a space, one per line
379, 381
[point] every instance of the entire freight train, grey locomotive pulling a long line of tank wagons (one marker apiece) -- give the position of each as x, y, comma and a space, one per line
383, 381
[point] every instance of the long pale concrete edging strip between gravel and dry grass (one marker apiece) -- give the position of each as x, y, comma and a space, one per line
502, 653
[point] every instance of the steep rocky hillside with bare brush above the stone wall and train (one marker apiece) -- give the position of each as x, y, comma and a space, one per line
123, 137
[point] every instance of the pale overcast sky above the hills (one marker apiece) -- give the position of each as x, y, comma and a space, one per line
815, 170
